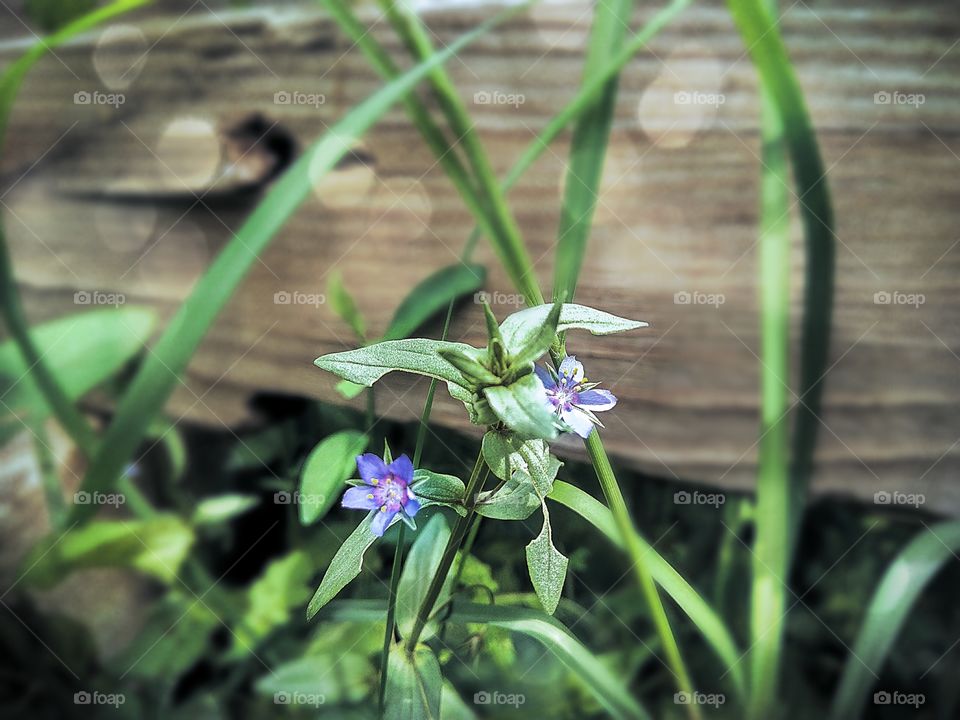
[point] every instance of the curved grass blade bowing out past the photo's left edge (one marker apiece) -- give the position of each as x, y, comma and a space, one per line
10, 305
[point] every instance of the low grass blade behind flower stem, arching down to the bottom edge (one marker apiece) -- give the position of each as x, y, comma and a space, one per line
596, 677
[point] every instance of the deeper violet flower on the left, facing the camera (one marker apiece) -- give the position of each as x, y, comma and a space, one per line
385, 488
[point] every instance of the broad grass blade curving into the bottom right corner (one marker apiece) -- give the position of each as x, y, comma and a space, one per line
903, 582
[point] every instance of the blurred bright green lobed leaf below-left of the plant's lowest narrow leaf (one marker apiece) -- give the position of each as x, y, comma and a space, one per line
271, 599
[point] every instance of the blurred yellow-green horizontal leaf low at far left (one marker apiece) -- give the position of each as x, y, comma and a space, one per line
155, 547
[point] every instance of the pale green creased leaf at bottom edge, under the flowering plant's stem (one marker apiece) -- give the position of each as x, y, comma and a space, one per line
414, 685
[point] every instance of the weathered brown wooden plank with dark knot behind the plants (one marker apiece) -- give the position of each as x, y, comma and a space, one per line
102, 210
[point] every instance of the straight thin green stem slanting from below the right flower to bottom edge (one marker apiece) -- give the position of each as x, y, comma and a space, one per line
618, 508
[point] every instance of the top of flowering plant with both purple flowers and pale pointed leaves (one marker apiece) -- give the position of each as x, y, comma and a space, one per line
502, 390
